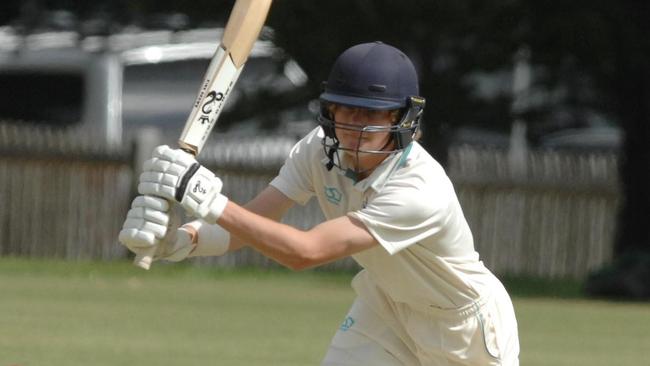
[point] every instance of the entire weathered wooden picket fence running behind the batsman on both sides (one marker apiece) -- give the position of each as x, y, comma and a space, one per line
63, 196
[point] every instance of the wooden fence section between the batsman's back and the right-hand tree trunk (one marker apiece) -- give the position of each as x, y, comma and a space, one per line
557, 218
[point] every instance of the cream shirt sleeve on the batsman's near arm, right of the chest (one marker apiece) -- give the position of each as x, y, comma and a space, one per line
405, 212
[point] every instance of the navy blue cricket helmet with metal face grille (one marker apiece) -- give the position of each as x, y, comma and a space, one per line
373, 76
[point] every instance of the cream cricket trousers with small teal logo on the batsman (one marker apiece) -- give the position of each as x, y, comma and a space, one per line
388, 333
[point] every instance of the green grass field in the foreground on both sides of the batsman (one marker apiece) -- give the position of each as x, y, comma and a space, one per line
58, 313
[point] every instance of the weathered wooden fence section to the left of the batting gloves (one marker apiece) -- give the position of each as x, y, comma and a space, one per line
59, 193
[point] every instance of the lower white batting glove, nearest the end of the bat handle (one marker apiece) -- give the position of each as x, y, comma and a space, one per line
149, 223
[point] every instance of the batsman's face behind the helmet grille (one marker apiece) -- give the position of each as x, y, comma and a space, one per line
349, 124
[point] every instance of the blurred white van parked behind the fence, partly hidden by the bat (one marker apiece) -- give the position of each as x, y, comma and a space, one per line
111, 85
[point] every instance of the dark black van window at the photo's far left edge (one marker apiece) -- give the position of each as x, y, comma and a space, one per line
53, 98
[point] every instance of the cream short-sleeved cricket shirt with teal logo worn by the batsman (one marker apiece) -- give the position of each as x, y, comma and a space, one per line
408, 204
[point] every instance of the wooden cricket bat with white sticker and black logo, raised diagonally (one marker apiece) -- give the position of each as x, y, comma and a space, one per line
241, 32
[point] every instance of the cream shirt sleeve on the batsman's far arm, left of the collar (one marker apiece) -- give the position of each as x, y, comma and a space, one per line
295, 176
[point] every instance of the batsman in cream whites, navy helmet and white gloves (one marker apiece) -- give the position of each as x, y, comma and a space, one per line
423, 296
